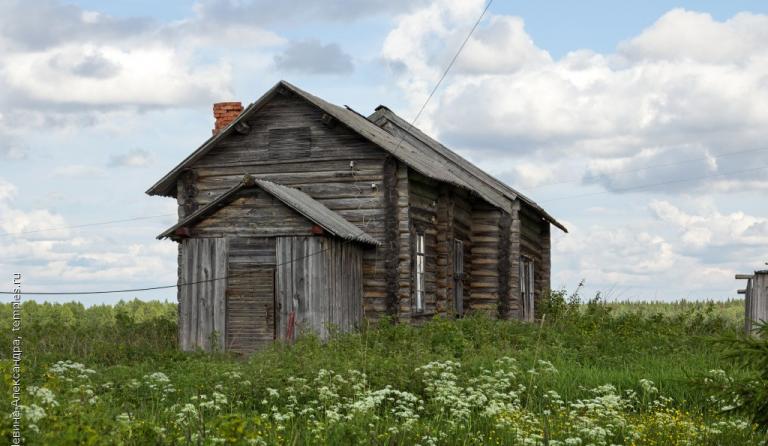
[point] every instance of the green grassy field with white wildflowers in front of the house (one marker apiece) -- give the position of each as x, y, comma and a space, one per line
589, 374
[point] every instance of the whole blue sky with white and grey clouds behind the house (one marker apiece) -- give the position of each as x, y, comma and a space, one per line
643, 127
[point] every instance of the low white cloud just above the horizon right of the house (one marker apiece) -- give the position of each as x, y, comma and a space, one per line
670, 252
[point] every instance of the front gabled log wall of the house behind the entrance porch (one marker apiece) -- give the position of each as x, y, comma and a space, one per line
323, 171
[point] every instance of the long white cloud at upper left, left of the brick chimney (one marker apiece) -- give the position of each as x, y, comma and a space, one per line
140, 76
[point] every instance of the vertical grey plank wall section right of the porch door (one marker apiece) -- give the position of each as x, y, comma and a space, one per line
320, 280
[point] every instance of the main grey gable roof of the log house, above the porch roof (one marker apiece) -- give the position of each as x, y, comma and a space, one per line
423, 158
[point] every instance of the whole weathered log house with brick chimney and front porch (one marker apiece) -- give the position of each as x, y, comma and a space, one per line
300, 214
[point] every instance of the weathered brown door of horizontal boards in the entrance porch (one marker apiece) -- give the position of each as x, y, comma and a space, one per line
250, 308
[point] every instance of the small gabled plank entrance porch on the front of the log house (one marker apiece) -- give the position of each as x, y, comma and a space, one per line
267, 262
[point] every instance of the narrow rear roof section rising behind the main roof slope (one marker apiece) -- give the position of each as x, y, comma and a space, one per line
383, 114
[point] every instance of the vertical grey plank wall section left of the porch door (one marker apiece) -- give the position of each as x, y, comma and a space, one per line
202, 299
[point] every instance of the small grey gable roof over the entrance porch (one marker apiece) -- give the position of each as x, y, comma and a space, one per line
295, 199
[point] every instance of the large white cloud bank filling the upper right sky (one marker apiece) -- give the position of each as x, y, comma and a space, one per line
664, 97
